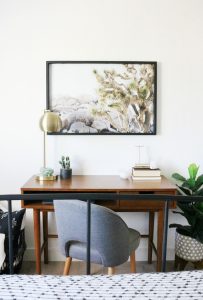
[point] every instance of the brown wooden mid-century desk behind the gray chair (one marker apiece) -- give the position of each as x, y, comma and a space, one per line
100, 184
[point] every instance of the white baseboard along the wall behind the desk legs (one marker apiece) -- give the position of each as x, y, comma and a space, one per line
55, 255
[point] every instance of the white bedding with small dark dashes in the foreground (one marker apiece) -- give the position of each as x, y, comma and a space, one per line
177, 285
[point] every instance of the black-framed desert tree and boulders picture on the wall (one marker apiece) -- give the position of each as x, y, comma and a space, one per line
98, 97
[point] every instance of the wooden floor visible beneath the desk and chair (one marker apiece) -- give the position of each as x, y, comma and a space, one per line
78, 268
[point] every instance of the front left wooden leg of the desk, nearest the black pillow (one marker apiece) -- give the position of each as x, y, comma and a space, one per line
36, 217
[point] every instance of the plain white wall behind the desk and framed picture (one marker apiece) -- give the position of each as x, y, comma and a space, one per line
33, 31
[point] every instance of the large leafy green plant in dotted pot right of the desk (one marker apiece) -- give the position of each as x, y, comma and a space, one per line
189, 238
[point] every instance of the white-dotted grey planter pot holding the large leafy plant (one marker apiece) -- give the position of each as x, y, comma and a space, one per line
188, 248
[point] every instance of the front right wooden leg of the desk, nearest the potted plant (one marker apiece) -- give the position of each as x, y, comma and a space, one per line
160, 227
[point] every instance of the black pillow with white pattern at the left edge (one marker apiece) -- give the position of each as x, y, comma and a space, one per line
17, 235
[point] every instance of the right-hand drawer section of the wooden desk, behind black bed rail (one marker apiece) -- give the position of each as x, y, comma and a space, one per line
142, 205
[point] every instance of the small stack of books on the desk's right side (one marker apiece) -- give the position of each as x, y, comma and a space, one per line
143, 172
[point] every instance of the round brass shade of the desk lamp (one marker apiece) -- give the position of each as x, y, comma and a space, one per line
50, 122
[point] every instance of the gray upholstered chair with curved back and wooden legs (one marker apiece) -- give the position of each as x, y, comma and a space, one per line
112, 242
